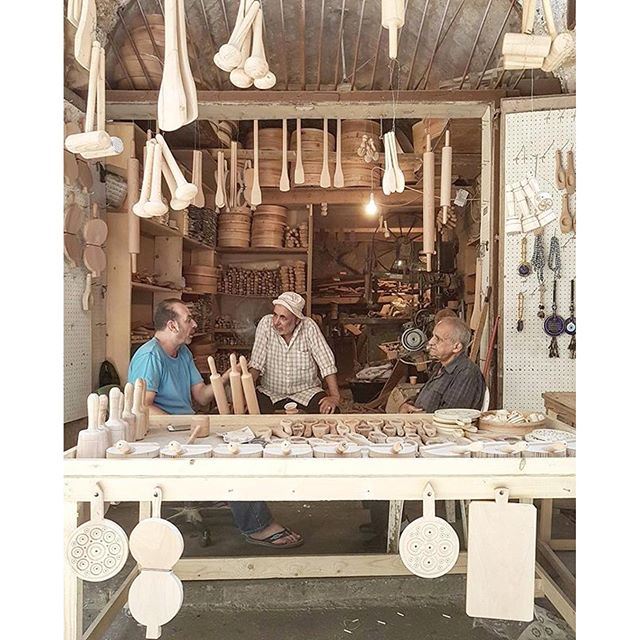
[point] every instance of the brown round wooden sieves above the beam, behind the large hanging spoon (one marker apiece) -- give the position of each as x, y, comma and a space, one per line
128, 70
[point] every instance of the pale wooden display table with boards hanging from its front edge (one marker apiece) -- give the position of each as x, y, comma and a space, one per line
217, 479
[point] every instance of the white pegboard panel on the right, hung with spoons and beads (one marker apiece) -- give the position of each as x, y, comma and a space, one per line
531, 139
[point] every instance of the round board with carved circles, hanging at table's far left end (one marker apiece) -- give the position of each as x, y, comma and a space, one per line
97, 550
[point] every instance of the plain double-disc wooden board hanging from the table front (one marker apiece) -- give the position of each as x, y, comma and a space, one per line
156, 594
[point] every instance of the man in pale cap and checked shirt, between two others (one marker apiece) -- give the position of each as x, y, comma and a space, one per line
288, 351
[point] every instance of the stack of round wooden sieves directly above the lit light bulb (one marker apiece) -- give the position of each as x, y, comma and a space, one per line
357, 172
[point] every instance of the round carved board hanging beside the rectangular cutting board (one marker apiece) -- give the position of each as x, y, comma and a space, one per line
429, 546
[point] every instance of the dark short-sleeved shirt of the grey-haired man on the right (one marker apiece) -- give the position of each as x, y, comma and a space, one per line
457, 385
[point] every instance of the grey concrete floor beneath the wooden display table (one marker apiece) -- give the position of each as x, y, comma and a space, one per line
317, 609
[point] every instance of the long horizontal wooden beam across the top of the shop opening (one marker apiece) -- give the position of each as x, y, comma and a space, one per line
269, 105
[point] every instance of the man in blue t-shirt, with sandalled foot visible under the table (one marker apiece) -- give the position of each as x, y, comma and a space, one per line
173, 382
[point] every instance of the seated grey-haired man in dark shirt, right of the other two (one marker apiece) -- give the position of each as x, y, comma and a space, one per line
456, 383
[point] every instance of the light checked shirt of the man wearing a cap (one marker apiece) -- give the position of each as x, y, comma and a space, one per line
291, 370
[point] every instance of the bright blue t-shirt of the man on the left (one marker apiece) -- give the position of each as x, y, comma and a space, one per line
171, 378
